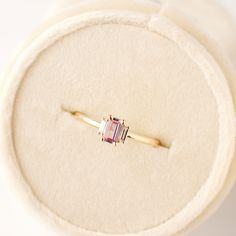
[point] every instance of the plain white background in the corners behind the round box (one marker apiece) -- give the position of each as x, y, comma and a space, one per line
17, 19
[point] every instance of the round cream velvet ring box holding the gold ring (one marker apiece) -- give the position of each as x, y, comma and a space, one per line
161, 69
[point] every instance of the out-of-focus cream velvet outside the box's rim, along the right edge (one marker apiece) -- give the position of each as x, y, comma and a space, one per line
222, 46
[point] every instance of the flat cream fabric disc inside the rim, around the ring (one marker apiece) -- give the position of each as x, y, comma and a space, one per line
138, 87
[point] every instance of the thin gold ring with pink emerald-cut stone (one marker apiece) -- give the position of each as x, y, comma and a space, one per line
114, 130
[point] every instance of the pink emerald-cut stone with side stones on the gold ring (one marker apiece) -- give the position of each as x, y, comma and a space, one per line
113, 130
